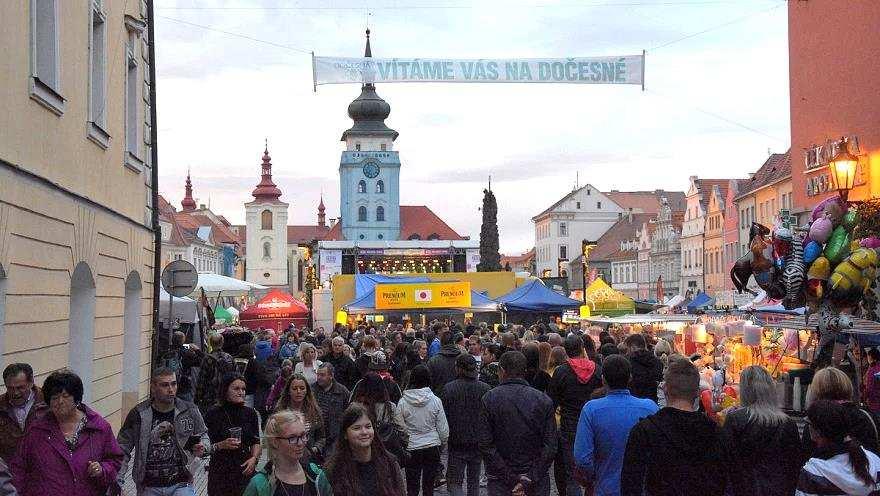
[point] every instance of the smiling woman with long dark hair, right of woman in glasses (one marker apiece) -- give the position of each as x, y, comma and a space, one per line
360, 465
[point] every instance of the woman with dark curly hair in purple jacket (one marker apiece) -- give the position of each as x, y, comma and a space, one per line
70, 451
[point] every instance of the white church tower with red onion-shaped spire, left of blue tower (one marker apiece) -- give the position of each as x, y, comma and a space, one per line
266, 231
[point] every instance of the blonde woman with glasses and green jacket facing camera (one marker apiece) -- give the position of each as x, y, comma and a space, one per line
284, 474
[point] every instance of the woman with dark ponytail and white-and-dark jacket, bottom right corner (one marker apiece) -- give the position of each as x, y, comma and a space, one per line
840, 465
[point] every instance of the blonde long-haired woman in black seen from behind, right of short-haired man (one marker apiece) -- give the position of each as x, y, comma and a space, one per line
764, 441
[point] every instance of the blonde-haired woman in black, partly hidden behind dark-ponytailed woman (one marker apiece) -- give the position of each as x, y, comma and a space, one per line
833, 384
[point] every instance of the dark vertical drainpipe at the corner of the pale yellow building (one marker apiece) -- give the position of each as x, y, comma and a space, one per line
154, 161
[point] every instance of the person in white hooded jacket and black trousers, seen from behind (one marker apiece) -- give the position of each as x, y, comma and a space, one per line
421, 412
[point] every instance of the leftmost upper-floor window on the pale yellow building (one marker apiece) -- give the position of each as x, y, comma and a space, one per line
45, 78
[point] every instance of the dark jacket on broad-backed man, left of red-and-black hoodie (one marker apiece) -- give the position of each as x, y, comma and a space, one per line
517, 431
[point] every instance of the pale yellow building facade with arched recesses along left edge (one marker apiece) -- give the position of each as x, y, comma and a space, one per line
76, 246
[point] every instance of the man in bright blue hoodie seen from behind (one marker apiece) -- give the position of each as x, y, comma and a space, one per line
604, 427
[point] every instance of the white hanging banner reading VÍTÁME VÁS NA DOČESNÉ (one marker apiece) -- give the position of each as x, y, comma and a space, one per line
628, 69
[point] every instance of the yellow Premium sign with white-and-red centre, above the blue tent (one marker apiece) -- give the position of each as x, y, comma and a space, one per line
423, 295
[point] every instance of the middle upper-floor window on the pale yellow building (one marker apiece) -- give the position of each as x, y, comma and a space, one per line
97, 75
